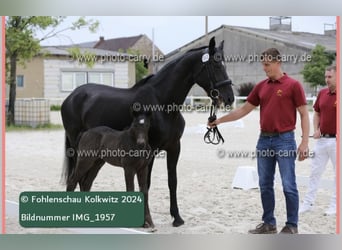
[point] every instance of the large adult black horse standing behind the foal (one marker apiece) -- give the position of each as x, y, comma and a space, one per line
93, 105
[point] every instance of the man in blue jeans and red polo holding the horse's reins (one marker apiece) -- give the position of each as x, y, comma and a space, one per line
279, 97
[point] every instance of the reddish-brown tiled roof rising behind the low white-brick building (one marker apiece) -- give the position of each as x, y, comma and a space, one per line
116, 44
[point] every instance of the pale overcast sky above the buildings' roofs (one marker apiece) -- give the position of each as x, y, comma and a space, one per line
172, 32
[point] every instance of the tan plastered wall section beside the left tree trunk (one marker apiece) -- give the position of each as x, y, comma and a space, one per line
33, 79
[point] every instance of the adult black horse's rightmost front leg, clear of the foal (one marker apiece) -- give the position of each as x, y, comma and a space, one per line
172, 160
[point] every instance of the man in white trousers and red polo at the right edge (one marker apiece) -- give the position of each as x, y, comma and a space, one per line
324, 123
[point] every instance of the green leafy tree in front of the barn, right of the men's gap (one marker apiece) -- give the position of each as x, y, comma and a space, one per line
313, 71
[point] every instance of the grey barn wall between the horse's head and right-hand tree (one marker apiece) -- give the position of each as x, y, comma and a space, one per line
242, 51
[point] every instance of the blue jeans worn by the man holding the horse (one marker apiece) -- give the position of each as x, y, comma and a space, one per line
279, 149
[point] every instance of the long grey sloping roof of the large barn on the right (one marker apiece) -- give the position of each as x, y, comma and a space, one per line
303, 40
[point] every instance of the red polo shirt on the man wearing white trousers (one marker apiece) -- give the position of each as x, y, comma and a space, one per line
325, 105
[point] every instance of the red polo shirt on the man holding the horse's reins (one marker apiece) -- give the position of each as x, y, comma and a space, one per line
278, 101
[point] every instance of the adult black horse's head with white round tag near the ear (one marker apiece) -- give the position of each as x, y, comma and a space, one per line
211, 74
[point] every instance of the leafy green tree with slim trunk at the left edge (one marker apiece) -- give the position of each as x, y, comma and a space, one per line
23, 43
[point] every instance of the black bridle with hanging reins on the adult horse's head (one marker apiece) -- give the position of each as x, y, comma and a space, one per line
213, 135
